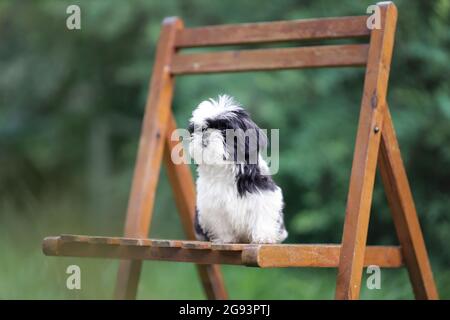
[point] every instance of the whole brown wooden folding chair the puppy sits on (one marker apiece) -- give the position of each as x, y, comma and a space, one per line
376, 143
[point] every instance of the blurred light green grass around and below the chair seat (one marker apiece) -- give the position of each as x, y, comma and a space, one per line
25, 273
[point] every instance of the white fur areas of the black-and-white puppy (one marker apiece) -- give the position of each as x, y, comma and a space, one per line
229, 217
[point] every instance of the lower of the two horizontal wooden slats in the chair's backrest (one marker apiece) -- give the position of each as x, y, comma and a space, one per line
270, 59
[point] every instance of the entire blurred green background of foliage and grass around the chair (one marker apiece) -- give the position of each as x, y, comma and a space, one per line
71, 104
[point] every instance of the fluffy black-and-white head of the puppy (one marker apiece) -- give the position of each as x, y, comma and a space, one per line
222, 132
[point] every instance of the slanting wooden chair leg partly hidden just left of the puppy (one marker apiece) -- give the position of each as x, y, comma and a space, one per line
184, 192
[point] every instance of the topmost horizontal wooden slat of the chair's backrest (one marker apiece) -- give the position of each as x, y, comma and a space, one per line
325, 28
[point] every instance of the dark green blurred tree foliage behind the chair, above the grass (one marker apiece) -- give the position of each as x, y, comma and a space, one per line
71, 105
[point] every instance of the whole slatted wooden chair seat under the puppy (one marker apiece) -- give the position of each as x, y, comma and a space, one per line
257, 255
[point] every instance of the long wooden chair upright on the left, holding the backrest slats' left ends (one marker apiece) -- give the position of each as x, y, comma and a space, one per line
150, 151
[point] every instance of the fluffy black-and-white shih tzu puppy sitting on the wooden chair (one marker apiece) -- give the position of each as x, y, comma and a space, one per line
237, 200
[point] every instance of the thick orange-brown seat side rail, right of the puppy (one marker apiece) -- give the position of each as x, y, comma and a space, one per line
324, 256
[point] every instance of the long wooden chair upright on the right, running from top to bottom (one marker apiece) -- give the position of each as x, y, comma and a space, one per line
365, 156
